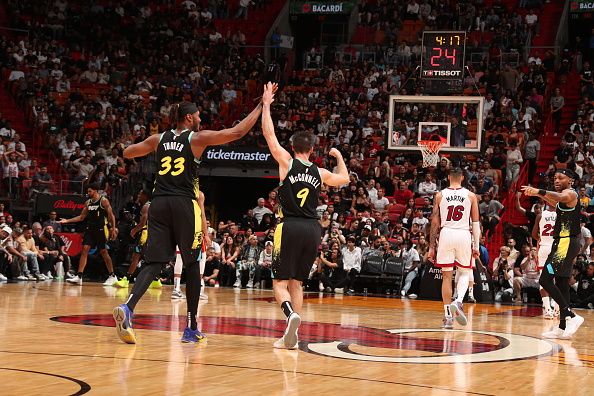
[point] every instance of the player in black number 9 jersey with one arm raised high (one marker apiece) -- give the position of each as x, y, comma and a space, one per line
297, 237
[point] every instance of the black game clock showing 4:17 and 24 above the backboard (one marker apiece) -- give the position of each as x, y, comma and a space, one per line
443, 55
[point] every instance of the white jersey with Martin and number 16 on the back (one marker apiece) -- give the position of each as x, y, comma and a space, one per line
454, 208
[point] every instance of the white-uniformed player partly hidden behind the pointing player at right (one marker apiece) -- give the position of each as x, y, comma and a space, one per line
543, 233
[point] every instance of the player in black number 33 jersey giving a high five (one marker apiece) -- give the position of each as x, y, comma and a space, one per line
174, 215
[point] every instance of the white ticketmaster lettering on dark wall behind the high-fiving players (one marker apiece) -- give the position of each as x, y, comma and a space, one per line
232, 156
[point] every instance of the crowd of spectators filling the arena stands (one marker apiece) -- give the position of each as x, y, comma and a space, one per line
112, 83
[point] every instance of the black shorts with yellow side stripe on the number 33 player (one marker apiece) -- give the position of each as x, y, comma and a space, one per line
173, 221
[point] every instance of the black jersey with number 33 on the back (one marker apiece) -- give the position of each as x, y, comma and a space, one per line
177, 169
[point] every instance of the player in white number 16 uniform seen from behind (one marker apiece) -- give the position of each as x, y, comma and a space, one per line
455, 220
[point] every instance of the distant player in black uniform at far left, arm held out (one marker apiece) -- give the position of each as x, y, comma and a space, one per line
97, 213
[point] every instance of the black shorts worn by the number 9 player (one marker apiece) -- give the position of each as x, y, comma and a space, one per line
296, 242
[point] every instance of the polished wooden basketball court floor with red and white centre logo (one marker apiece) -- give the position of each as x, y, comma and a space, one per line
58, 339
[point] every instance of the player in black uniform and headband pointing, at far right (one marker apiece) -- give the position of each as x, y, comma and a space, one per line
566, 246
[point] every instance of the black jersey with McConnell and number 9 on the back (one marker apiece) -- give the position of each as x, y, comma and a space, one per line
299, 192
